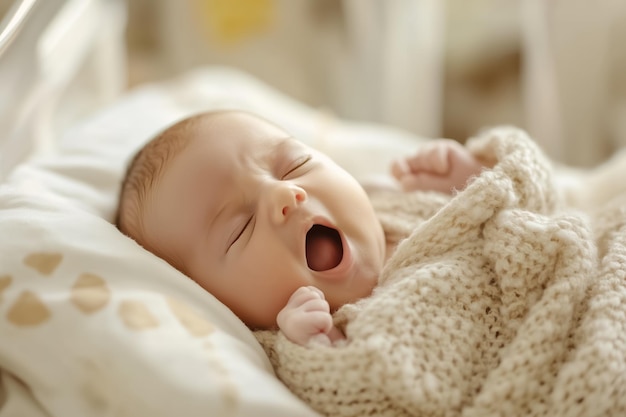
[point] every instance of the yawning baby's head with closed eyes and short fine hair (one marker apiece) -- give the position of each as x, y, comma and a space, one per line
251, 214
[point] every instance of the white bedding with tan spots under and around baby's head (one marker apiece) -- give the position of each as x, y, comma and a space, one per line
91, 324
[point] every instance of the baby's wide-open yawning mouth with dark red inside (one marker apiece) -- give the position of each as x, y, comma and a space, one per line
324, 249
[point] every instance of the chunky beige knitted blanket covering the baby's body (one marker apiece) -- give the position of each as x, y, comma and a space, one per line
501, 301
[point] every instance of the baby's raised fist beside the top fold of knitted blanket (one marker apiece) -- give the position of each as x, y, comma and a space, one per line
440, 165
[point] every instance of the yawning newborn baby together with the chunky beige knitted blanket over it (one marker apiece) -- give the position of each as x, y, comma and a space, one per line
497, 300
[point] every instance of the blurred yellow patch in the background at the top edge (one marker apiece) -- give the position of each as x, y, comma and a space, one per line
231, 21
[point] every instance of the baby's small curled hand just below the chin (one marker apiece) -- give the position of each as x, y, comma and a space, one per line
306, 318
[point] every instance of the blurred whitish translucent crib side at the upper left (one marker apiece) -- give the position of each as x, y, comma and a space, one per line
59, 60
